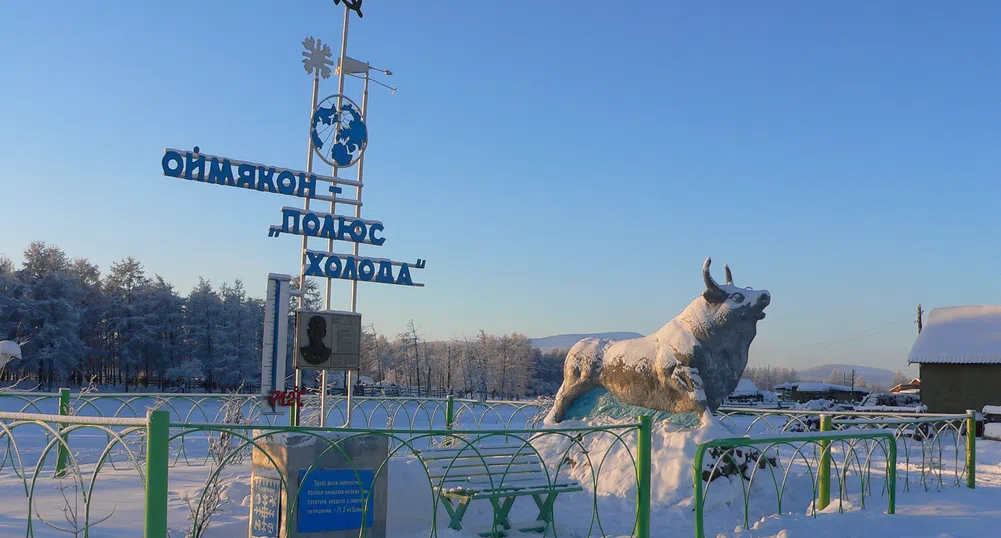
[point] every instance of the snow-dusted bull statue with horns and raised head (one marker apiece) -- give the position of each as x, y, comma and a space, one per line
691, 364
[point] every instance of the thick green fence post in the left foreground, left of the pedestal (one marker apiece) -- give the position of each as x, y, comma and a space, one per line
158, 459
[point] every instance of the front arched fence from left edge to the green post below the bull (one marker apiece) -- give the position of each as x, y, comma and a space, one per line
580, 455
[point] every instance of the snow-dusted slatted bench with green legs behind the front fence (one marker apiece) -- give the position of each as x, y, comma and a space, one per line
500, 474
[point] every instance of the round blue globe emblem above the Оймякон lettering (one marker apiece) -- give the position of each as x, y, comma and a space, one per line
339, 137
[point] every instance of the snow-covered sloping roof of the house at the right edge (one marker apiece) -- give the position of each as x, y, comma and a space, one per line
960, 336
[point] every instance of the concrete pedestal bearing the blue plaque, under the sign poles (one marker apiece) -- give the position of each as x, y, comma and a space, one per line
333, 487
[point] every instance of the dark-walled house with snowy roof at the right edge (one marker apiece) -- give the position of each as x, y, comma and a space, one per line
959, 353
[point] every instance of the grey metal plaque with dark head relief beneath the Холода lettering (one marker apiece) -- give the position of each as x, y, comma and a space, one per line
329, 340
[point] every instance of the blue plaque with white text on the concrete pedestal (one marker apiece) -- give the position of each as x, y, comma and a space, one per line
335, 500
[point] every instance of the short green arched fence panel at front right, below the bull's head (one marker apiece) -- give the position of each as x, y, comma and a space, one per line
851, 454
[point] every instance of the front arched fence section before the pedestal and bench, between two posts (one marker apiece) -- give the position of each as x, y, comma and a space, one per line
568, 455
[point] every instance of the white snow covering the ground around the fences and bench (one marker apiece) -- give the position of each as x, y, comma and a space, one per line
945, 511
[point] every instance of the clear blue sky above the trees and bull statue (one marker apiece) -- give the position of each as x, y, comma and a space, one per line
564, 167
